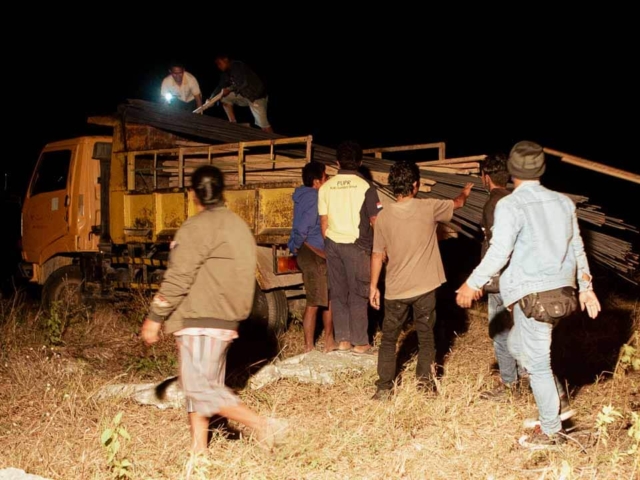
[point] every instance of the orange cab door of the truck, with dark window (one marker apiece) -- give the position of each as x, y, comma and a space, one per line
46, 209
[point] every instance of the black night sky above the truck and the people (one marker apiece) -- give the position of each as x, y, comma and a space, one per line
477, 78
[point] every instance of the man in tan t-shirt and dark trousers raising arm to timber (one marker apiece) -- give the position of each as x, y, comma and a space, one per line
406, 233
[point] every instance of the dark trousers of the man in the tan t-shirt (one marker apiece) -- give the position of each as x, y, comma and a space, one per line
424, 318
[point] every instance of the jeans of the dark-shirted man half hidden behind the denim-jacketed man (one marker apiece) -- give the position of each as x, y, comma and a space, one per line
500, 325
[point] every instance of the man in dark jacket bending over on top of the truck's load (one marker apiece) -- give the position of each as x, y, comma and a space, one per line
241, 86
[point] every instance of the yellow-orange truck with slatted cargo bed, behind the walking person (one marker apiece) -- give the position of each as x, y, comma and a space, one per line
100, 211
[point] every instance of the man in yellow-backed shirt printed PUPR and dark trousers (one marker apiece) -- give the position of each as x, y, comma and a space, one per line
348, 205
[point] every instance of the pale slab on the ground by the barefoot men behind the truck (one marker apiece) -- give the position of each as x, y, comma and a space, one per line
313, 367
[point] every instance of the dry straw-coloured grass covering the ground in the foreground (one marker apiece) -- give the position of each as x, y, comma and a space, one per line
51, 423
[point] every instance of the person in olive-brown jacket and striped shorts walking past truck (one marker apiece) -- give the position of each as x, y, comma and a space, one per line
206, 292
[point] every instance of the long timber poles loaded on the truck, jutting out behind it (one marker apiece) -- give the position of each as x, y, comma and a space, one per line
609, 241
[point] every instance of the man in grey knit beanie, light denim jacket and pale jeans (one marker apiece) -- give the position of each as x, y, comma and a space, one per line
536, 232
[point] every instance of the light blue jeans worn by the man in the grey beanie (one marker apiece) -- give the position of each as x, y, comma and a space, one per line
530, 344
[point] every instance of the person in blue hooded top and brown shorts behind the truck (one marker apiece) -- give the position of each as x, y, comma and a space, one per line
307, 243
